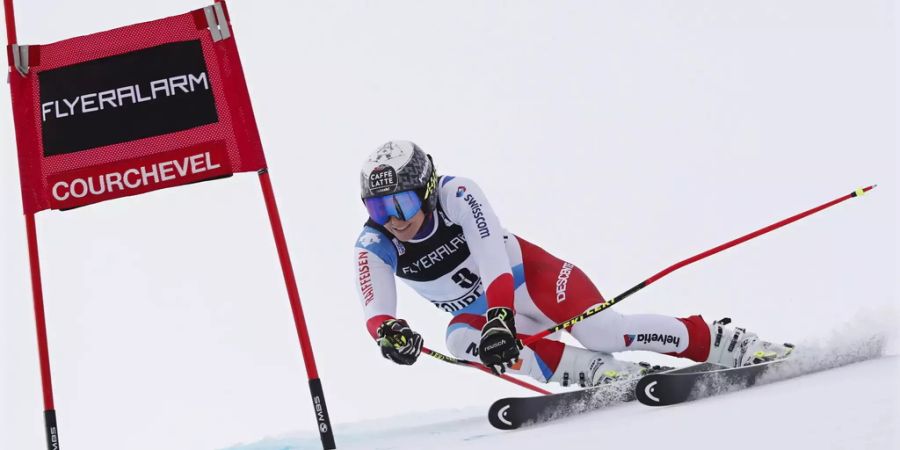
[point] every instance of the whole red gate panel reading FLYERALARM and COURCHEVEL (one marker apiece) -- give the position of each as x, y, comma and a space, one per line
131, 110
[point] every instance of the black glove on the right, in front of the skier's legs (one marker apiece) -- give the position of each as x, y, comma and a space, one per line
499, 347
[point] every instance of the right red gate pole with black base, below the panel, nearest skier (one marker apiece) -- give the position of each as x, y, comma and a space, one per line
315, 385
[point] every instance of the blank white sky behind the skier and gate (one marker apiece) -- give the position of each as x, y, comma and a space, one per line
622, 136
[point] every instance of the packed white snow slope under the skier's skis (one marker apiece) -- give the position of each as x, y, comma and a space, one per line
841, 394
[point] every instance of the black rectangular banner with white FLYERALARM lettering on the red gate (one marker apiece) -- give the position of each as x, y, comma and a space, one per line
122, 98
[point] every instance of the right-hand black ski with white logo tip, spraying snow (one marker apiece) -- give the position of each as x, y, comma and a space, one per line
698, 381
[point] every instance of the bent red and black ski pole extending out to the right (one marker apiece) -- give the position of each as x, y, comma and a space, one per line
602, 306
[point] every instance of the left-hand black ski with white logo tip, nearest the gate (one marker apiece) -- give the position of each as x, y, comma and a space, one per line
513, 412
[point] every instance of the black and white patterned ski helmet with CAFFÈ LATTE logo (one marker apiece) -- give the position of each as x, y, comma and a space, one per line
399, 166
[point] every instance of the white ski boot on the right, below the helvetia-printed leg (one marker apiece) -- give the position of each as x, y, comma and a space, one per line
737, 347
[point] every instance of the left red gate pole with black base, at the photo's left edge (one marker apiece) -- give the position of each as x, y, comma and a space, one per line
36, 287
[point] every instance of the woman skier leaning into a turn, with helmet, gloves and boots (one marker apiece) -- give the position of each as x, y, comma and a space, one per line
440, 236
